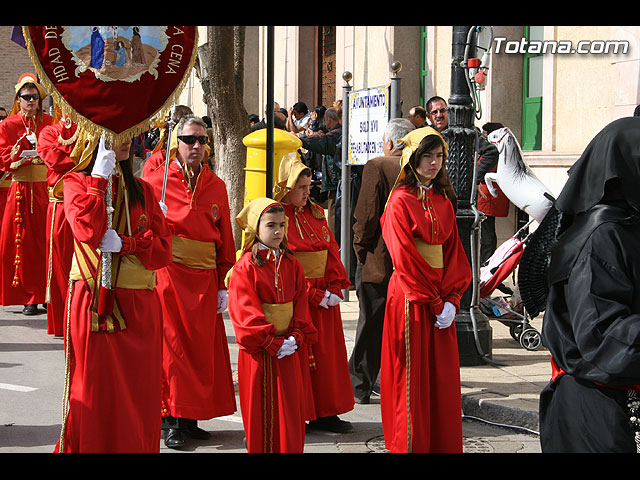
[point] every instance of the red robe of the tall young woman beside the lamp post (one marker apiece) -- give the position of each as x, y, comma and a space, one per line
420, 372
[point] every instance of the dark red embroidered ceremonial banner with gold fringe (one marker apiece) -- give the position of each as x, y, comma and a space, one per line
116, 81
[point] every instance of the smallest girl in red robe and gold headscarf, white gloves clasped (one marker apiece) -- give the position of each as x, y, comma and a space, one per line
269, 309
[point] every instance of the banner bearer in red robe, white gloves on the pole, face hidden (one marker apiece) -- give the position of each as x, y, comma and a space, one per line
113, 332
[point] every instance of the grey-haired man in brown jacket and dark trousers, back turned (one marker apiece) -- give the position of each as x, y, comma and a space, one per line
374, 263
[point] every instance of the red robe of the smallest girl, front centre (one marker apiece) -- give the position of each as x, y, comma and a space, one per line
273, 392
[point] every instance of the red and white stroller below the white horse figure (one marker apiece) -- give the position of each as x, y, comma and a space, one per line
493, 272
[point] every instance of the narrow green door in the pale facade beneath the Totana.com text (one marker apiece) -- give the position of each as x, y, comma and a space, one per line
532, 94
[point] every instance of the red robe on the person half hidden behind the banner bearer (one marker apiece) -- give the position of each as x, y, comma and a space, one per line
59, 245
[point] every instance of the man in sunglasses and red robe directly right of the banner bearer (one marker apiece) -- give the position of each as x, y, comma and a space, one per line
198, 382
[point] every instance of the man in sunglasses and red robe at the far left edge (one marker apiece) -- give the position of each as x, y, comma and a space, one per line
23, 233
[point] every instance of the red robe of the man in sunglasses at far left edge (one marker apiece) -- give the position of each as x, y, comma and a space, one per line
23, 233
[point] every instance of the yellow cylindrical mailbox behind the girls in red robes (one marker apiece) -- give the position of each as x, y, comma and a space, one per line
284, 143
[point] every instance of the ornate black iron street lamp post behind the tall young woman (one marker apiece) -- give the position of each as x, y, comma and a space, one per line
460, 136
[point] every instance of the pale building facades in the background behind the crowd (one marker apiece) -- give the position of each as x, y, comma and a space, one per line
555, 87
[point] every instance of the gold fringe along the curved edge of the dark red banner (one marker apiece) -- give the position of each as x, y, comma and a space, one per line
93, 129
